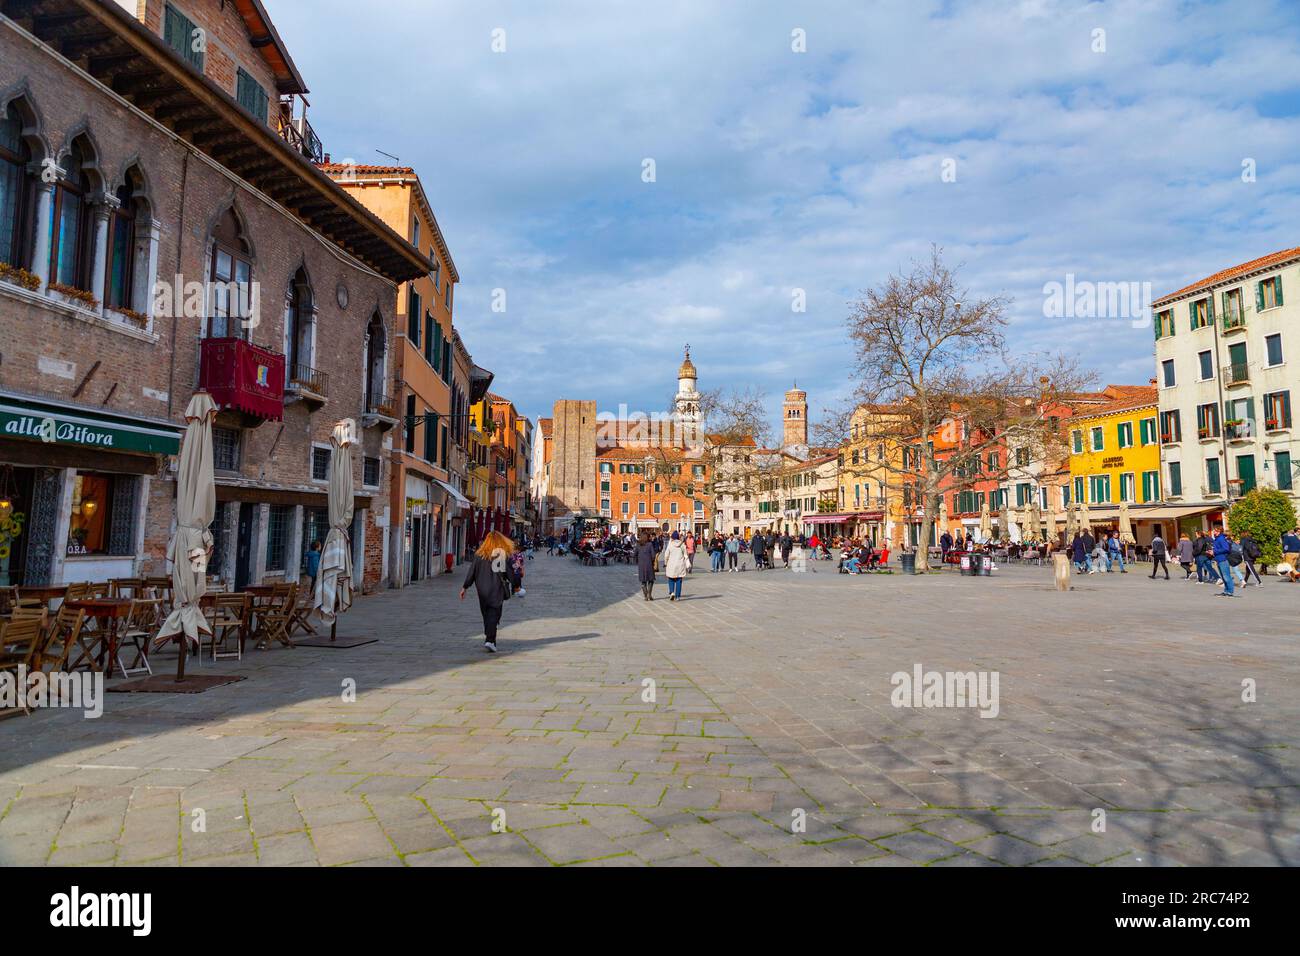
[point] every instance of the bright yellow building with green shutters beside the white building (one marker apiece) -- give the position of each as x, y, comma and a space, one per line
1115, 455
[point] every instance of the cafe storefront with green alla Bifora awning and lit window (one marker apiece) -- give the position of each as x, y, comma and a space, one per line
75, 488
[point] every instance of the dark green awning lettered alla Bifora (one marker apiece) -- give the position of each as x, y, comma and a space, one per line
33, 419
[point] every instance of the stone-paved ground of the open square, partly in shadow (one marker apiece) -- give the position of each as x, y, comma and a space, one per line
772, 708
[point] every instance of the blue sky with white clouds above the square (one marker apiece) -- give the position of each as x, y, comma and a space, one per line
821, 171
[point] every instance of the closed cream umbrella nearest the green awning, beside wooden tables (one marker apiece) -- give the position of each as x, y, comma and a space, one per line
196, 507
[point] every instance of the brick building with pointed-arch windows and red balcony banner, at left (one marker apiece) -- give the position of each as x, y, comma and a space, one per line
274, 291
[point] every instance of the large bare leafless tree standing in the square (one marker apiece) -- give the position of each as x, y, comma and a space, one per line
935, 386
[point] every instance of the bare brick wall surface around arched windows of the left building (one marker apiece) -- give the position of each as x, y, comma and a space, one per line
155, 375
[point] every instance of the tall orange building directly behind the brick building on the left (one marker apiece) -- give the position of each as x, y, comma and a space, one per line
424, 495
